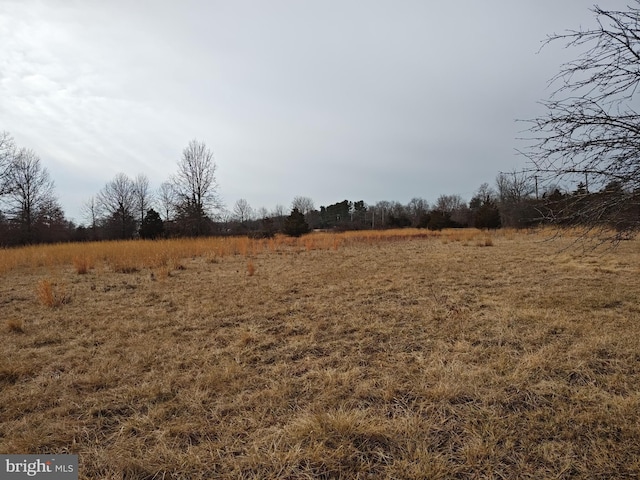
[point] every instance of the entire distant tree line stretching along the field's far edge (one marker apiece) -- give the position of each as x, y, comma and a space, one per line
188, 204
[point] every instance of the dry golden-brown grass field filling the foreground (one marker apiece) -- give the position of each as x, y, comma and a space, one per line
398, 355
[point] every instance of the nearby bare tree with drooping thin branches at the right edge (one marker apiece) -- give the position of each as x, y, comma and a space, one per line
591, 130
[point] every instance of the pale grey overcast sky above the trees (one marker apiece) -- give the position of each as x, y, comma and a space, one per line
330, 99
